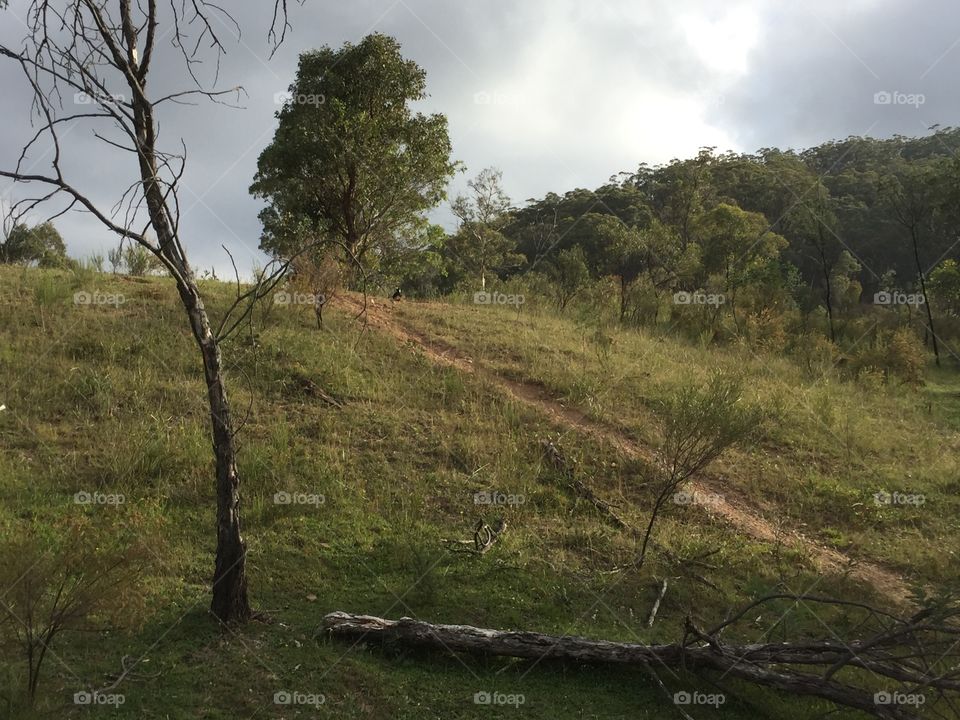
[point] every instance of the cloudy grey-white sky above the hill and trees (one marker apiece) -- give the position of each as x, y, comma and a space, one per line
557, 93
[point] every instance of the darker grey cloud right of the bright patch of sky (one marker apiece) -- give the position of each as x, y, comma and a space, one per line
814, 76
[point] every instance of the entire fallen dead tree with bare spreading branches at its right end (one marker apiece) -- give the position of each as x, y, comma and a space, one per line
917, 655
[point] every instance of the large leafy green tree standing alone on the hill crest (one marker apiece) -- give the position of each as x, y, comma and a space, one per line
350, 161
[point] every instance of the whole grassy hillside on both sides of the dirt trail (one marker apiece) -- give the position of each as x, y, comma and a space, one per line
108, 398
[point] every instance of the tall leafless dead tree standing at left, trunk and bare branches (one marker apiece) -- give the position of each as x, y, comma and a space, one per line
103, 51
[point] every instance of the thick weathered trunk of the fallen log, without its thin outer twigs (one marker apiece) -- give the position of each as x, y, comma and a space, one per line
773, 665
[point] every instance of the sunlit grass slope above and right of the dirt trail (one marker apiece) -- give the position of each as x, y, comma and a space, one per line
833, 442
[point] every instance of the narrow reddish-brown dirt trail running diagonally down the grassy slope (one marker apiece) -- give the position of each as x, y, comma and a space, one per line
725, 502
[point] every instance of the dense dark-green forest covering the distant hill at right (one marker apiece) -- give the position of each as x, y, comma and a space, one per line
862, 197
